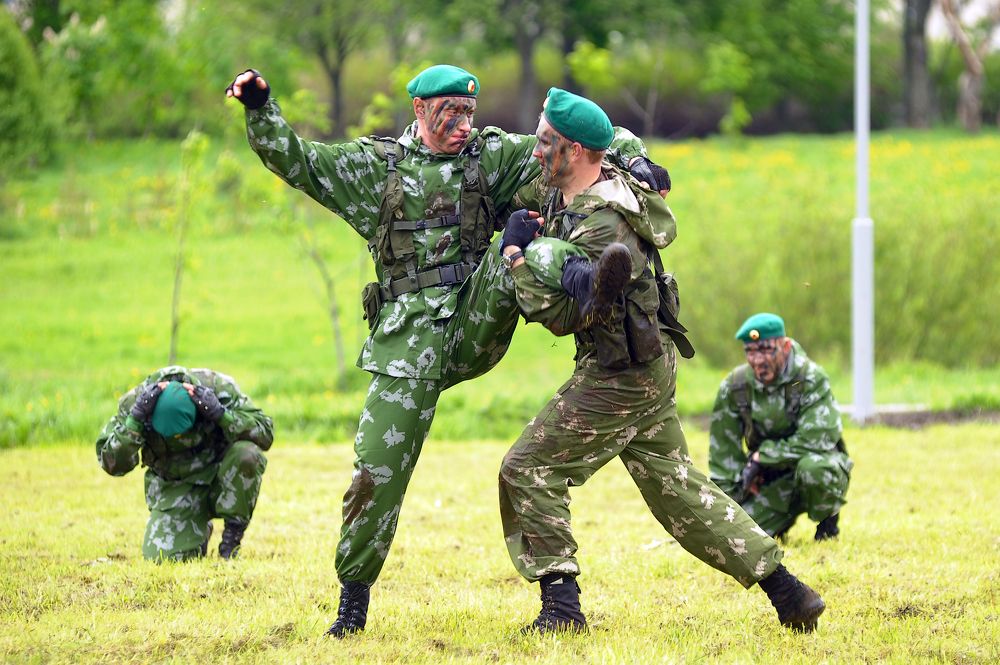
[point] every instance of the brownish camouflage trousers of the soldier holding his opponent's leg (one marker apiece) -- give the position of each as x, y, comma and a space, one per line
630, 414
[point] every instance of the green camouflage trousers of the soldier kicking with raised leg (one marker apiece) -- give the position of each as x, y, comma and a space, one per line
398, 413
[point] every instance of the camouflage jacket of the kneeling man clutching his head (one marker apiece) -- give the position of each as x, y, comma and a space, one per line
191, 456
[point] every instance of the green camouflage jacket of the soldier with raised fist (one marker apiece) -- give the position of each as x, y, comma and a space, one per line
349, 179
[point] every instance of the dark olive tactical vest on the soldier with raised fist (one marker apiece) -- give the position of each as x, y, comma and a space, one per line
392, 245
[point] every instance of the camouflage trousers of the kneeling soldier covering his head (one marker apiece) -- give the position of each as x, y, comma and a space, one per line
179, 512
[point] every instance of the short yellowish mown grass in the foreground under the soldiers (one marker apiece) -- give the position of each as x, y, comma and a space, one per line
913, 577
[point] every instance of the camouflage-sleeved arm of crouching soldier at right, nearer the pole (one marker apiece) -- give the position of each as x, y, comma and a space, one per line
818, 429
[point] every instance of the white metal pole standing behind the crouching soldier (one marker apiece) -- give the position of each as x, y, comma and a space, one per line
863, 233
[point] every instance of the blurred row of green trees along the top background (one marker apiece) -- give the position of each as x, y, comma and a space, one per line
672, 68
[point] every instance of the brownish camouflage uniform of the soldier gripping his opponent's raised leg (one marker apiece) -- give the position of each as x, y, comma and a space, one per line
620, 402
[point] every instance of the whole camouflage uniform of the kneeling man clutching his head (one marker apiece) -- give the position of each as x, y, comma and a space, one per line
211, 471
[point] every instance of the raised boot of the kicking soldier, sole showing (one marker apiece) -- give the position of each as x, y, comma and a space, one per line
596, 286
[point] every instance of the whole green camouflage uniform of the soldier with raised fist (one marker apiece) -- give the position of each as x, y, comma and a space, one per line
428, 339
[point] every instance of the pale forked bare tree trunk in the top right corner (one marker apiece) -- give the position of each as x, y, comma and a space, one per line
970, 83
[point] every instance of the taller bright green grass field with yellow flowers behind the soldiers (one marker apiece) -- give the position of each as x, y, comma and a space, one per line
87, 251
